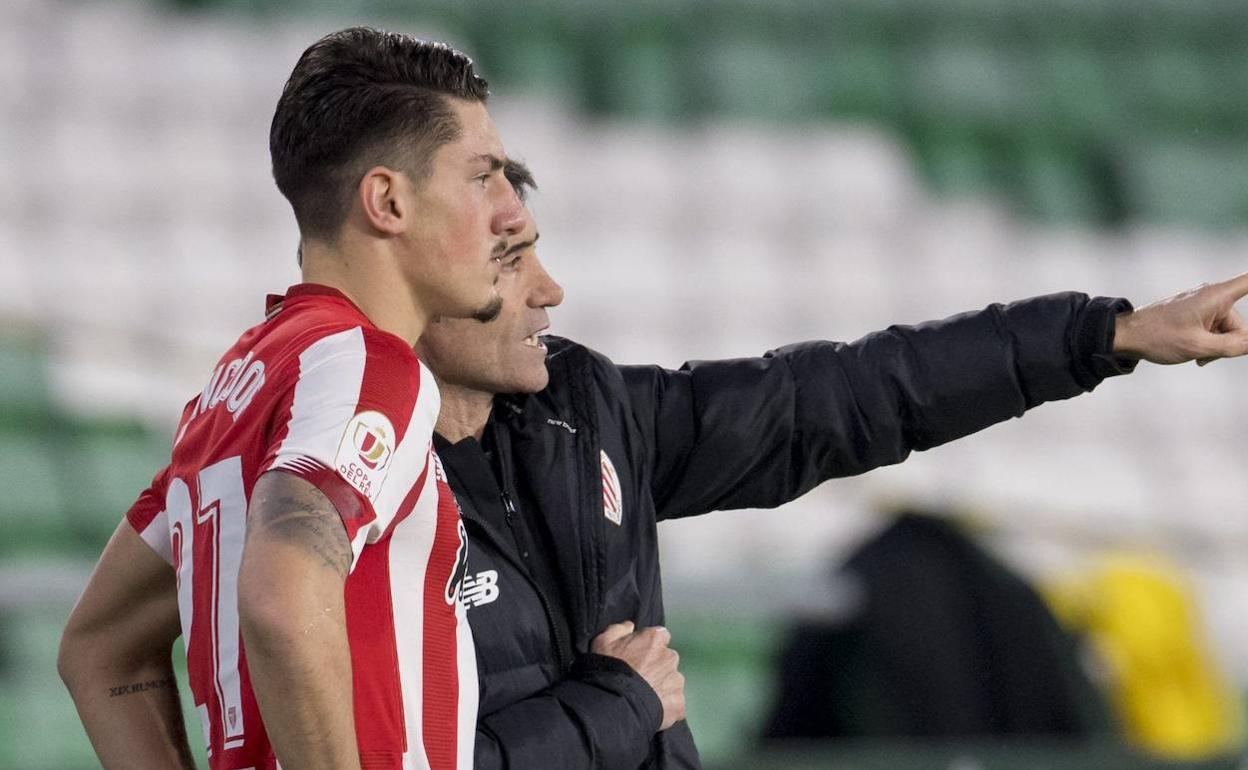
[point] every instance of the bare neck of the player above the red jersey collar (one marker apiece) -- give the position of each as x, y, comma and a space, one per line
369, 281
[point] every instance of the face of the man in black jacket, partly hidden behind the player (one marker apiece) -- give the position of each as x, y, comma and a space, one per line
505, 355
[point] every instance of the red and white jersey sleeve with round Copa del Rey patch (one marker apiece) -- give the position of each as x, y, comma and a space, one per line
350, 426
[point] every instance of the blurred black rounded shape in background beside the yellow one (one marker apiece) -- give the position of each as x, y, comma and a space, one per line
949, 643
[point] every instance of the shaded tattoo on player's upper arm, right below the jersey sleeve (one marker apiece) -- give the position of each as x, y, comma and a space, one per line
306, 519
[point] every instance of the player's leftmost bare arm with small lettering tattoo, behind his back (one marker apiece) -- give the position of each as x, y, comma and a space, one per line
117, 658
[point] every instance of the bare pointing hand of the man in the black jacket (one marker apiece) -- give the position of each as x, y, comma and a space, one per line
1200, 325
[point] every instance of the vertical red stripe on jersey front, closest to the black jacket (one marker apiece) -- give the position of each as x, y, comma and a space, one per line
441, 681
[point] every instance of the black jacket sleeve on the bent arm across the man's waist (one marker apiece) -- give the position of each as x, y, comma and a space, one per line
602, 716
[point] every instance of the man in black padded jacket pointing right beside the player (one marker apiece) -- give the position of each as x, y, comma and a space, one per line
565, 462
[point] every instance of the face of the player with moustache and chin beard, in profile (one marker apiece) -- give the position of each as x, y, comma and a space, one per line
466, 214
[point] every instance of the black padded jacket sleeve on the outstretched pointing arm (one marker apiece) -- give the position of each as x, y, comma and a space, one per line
759, 432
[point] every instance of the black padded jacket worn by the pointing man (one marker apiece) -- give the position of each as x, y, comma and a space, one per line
719, 435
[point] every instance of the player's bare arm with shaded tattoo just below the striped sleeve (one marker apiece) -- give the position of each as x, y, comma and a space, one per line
291, 610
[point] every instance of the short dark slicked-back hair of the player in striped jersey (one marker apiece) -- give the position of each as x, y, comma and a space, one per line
358, 99
